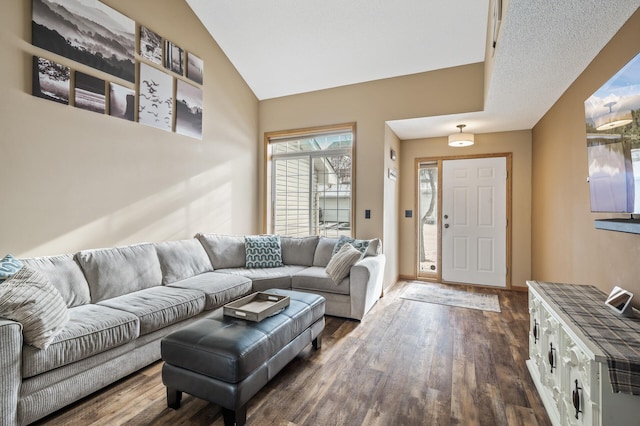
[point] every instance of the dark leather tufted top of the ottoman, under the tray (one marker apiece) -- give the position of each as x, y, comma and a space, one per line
229, 349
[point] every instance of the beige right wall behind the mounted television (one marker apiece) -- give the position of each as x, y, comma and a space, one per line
566, 246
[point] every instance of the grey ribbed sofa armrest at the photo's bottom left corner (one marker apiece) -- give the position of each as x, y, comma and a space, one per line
10, 370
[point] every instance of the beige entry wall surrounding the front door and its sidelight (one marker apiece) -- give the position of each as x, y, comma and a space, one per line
519, 144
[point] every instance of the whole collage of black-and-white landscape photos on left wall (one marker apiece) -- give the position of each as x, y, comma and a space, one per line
97, 36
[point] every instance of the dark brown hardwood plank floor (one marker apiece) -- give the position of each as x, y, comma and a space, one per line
406, 363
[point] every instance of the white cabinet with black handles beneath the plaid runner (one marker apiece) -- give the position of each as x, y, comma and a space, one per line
570, 371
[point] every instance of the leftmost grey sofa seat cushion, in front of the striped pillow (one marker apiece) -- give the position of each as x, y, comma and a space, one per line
91, 329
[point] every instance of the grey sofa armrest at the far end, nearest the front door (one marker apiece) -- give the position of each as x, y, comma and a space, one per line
366, 284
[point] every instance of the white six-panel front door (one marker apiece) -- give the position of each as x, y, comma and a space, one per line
474, 221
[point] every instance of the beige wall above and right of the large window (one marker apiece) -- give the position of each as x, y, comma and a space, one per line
370, 104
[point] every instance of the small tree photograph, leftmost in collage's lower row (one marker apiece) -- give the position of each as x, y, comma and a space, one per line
51, 80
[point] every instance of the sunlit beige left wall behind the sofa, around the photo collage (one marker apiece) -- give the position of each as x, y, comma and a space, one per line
74, 179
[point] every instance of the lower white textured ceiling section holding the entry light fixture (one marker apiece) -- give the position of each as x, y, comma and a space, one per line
543, 47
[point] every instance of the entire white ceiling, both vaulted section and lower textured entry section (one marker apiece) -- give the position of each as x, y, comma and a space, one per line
285, 47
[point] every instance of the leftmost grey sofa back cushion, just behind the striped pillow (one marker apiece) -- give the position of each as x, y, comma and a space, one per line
65, 274
